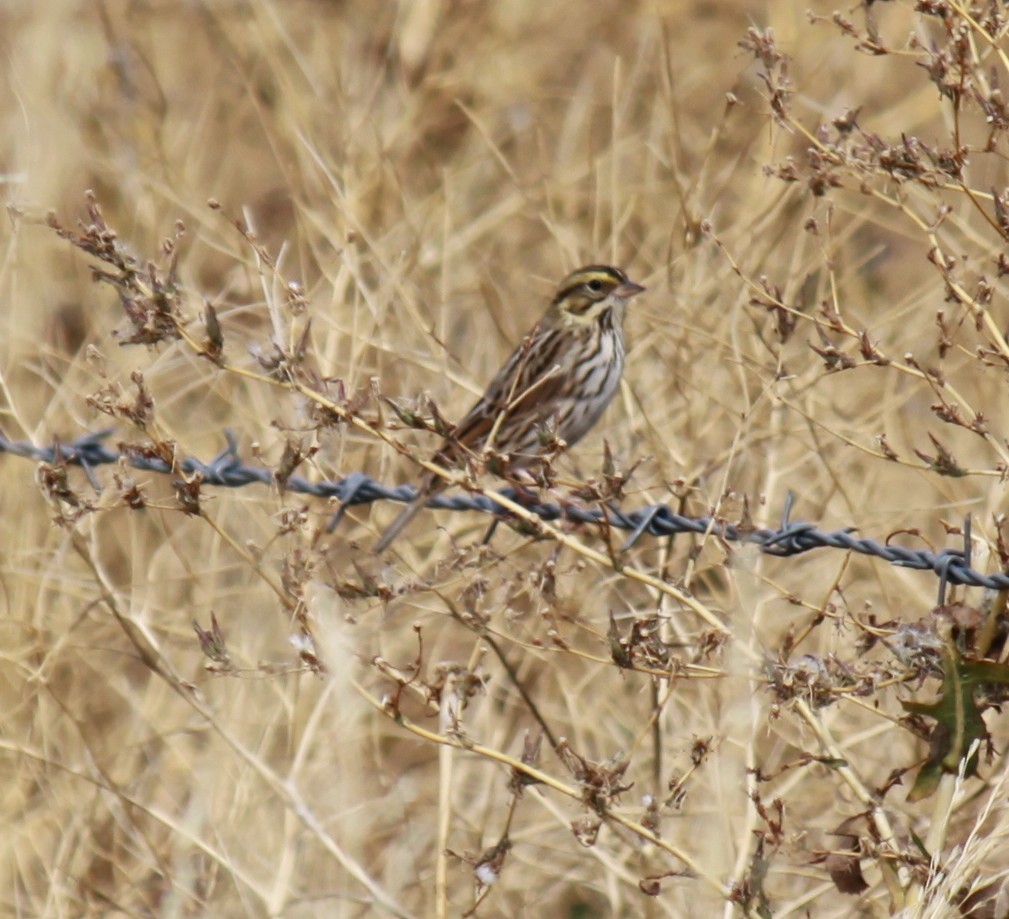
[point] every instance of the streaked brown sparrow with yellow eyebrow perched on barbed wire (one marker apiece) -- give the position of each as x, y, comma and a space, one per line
558, 382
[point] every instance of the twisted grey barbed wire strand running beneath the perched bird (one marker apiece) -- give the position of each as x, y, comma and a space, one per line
228, 471
